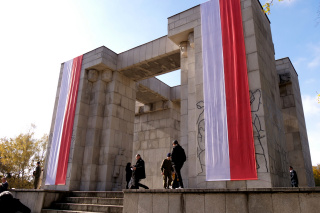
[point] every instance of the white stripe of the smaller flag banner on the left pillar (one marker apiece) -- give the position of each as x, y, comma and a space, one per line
56, 138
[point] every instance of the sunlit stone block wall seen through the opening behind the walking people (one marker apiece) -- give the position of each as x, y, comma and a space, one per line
155, 128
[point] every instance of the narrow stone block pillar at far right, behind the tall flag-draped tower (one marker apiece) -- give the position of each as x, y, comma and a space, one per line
294, 122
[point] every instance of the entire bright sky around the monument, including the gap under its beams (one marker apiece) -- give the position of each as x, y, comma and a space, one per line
37, 36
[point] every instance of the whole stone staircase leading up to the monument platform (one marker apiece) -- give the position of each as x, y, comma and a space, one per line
89, 202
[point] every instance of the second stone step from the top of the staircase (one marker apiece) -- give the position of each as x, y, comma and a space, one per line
95, 200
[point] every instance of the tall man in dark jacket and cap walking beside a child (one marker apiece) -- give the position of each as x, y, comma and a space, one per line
178, 157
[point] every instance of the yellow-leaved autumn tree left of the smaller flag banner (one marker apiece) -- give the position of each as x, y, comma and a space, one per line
18, 156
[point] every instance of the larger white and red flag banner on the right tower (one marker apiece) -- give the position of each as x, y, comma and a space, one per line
229, 143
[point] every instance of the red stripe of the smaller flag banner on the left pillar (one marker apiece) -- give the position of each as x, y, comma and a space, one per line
68, 122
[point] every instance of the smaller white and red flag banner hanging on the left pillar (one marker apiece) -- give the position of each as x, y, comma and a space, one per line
62, 133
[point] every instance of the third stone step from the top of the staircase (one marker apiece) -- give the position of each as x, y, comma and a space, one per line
89, 207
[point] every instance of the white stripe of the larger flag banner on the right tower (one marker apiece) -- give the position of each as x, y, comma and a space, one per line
216, 128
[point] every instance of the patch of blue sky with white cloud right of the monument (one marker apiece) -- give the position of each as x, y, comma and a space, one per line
295, 28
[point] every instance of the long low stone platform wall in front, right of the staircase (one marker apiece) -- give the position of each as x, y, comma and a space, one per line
245, 200
